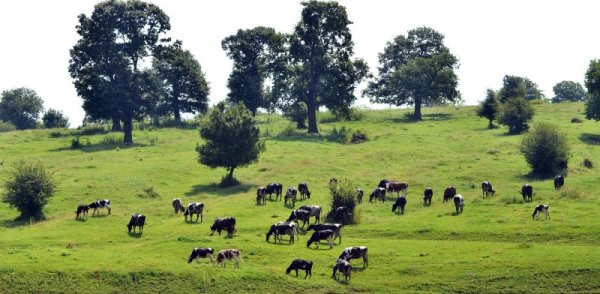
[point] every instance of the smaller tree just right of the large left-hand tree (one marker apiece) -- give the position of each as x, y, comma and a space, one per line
186, 87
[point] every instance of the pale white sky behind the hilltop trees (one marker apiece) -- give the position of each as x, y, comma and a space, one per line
546, 41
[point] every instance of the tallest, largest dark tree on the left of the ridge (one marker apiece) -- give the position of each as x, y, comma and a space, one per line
106, 63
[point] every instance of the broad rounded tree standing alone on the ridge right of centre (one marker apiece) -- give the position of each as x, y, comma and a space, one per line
414, 70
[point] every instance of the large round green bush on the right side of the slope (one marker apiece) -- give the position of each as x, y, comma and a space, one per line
546, 149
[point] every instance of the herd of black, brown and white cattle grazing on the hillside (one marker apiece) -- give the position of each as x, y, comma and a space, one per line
322, 231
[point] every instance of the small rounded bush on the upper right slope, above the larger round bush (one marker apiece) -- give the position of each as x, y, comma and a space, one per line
516, 114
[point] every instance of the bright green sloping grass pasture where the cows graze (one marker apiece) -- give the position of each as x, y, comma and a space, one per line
494, 246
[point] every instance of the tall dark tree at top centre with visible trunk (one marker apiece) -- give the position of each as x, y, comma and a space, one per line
320, 51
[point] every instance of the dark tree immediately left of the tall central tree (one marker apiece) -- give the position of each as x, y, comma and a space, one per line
255, 53
